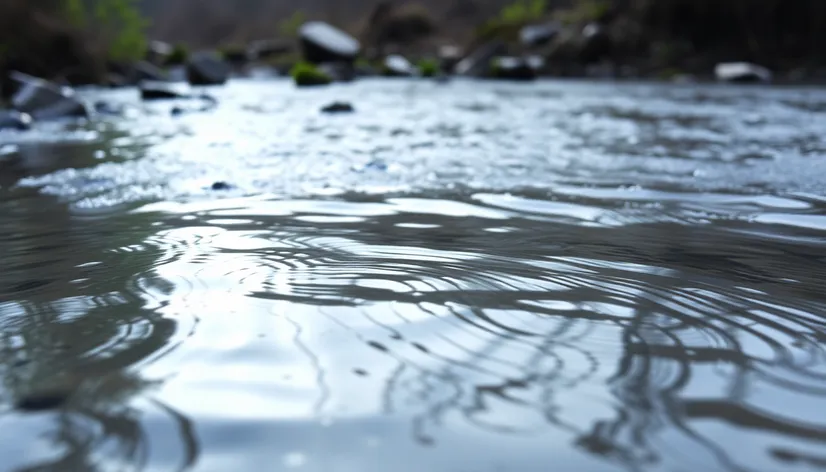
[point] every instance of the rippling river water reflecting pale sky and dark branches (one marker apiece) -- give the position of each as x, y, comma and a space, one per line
459, 277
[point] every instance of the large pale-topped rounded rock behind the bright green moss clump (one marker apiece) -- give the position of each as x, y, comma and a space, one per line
322, 42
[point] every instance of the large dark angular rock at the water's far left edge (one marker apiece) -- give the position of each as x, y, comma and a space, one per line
45, 100
